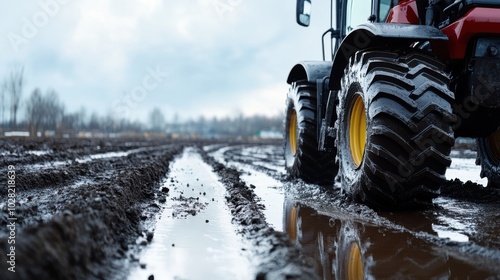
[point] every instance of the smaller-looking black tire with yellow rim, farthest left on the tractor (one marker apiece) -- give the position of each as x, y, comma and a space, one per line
302, 158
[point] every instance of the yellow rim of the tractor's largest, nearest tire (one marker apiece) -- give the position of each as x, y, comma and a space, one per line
357, 130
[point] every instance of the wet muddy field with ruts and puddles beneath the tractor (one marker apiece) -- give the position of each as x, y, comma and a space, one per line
136, 209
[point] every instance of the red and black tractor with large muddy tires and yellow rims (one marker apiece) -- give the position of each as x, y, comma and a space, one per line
404, 80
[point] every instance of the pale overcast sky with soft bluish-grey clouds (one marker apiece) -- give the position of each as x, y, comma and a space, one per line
186, 57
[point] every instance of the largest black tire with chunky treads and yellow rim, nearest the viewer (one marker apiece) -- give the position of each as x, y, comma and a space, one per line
394, 128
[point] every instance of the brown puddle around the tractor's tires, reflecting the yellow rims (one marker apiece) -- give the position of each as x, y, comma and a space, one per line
448, 243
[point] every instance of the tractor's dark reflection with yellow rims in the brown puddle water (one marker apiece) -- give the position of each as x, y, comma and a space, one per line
342, 248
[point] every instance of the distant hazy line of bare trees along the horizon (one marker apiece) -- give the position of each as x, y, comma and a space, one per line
45, 115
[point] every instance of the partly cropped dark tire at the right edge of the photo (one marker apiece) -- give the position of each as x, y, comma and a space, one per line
488, 156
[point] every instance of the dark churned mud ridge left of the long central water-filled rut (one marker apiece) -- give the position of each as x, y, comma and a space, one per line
88, 237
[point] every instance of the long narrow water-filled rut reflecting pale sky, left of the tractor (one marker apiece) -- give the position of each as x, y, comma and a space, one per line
199, 242
